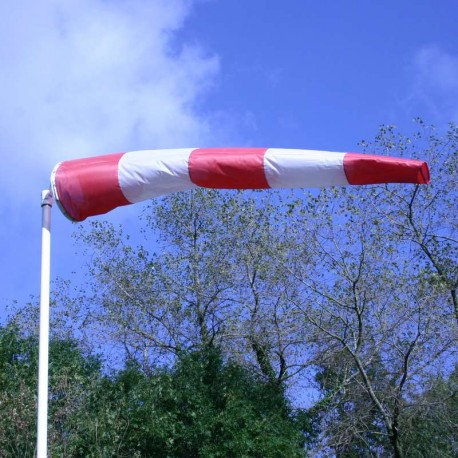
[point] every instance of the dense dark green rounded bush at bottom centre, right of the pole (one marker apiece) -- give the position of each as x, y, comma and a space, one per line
201, 408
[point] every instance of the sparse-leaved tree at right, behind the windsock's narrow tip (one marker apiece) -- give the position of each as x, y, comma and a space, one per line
382, 294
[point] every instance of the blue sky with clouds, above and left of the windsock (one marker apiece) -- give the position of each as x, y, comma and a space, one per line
88, 77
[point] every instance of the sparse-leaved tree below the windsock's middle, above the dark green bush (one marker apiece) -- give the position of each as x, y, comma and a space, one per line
210, 280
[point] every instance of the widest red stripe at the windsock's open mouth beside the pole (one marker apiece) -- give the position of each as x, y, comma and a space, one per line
89, 187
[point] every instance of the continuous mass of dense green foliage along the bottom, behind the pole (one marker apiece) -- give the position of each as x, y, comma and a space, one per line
202, 407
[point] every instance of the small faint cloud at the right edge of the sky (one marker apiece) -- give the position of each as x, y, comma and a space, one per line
435, 87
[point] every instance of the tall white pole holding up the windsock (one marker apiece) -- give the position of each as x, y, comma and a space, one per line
42, 416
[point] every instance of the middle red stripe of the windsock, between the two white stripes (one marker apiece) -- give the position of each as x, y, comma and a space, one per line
228, 168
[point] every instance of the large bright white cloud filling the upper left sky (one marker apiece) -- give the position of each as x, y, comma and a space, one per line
90, 77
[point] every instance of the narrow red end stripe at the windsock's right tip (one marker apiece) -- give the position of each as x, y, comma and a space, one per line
370, 169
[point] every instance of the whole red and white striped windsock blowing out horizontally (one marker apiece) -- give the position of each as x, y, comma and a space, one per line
96, 185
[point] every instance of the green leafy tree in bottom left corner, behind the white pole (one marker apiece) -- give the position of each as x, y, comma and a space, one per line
72, 376
